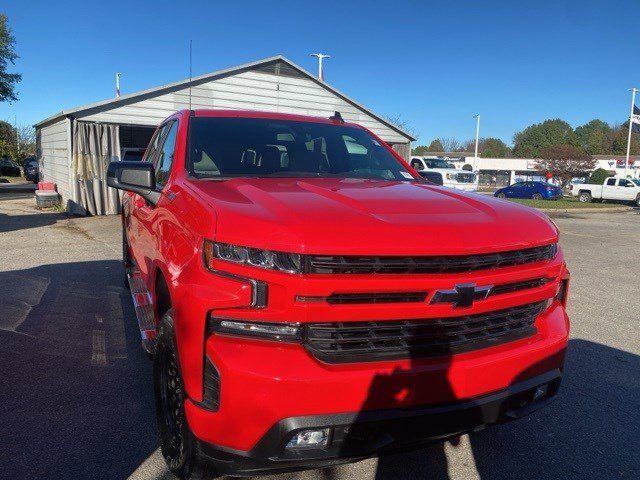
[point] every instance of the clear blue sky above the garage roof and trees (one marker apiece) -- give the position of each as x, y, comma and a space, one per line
433, 63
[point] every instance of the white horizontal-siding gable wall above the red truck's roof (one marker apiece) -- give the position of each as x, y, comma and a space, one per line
249, 90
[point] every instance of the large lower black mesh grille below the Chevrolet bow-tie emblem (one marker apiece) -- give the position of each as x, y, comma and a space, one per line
345, 342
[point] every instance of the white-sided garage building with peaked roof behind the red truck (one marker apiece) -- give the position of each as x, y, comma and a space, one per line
74, 146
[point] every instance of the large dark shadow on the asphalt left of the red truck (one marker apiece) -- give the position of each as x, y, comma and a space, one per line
76, 390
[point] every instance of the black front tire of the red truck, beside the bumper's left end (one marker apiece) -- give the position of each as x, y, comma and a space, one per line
179, 447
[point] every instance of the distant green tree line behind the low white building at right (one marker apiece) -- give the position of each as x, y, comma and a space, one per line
593, 138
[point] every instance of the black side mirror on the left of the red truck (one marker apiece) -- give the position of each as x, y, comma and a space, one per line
136, 177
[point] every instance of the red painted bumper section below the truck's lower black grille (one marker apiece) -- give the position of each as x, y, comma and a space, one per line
263, 382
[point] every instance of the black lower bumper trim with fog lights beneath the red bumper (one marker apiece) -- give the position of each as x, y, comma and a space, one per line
359, 435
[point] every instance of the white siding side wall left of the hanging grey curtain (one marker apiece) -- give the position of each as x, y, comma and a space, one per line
55, 156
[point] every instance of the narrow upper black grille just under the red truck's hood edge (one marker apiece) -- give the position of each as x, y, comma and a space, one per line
434, 264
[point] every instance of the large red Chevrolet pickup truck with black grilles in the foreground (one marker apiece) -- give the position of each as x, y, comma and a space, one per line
310, 300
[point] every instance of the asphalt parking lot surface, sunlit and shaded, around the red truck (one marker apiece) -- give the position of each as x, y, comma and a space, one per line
76, 387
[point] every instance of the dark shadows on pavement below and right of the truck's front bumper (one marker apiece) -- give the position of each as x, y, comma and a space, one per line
590, 431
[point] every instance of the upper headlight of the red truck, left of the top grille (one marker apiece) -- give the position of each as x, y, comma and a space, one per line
255, 257
